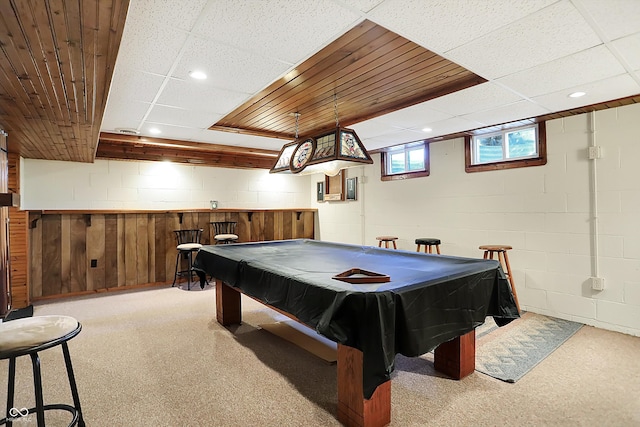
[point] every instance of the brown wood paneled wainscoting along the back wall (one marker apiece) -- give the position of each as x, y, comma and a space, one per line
80, 252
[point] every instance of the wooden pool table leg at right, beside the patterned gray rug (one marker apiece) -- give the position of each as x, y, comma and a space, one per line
457, 358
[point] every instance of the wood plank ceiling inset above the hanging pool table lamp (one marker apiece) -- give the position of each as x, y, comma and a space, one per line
369, 70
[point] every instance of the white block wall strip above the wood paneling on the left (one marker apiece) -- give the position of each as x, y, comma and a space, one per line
109, 184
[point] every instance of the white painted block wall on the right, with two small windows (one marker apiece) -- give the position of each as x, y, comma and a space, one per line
543, 212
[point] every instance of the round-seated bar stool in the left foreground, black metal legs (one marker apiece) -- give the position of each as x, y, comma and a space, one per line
28, 336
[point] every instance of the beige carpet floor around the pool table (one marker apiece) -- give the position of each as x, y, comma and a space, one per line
157, 357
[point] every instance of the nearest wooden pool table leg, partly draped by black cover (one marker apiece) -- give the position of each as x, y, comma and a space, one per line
353, 408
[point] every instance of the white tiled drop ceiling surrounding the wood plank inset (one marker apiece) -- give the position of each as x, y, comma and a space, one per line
528, 55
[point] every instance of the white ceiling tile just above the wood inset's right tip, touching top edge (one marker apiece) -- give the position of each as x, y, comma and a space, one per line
527, 43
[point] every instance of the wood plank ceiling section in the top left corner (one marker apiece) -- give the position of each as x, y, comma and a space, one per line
56, 62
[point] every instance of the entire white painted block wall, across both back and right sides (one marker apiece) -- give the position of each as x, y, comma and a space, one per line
543, 212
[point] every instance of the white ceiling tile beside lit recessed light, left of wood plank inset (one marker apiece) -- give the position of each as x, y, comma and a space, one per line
227, 66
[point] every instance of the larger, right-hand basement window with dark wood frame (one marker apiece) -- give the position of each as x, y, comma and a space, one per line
515, 147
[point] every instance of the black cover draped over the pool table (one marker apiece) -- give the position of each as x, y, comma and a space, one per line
429, 300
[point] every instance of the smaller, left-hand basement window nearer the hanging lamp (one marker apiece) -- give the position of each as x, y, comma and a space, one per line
405, 161
